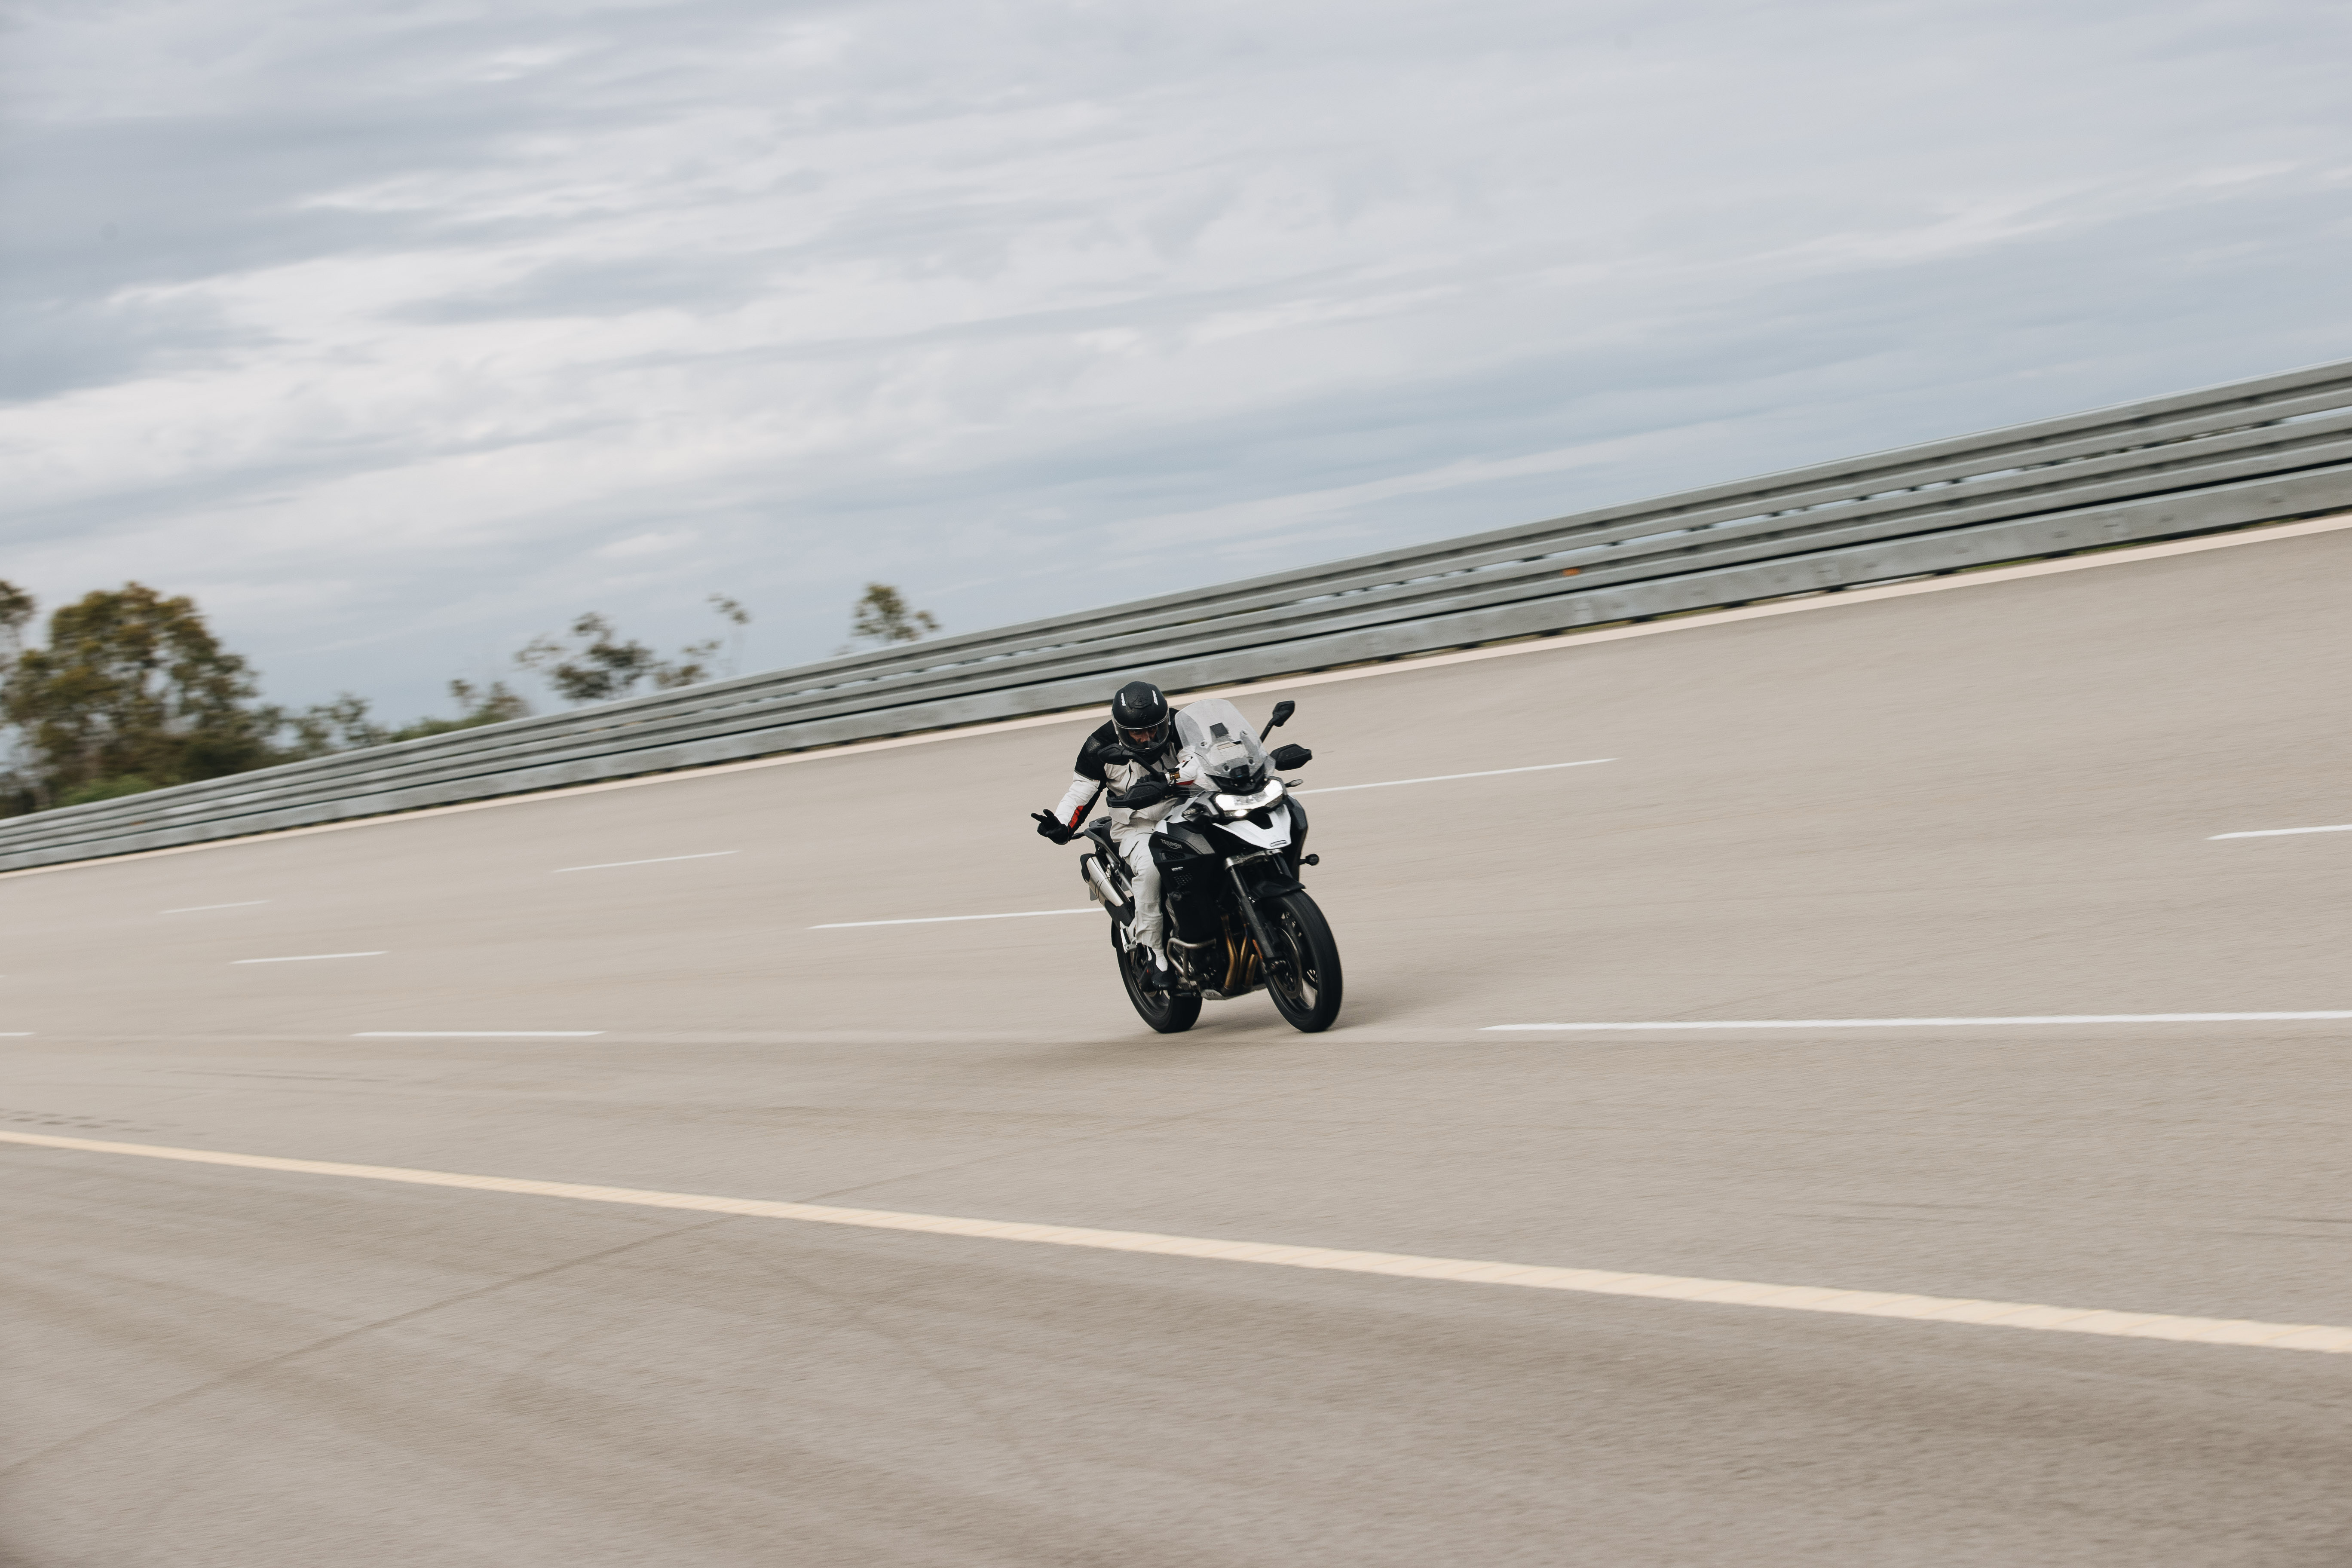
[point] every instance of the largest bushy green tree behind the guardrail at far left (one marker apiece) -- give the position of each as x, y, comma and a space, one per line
131, 692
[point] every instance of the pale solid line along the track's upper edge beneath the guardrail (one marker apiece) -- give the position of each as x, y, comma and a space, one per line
1278, 683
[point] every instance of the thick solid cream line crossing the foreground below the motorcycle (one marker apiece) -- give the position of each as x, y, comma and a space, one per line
1408, 1266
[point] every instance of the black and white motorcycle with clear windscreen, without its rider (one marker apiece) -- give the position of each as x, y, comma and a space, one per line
1238, 918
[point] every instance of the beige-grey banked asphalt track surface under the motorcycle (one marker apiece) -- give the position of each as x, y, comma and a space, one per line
1986, 803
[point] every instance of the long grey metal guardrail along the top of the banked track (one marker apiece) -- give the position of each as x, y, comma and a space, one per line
2186, 464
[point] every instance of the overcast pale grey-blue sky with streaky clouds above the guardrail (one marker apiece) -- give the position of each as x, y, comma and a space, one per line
401, 330
